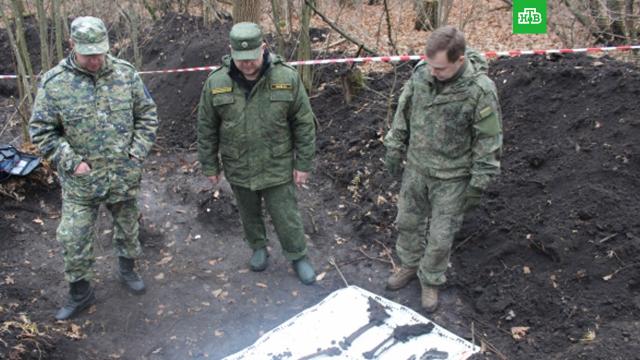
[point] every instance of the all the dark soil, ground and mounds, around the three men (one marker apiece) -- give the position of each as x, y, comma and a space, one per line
553, 248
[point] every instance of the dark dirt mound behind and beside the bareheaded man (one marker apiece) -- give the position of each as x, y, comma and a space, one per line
554, 245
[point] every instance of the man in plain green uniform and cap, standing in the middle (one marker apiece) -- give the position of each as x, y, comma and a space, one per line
255, 114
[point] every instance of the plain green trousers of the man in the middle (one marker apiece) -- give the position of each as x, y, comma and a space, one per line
281, 204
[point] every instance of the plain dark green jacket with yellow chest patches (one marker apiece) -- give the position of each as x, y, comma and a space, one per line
261, 137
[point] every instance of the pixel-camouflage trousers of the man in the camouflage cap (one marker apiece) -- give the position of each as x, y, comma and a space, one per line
76, 234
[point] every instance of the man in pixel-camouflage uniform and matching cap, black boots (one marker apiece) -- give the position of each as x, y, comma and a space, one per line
96, 122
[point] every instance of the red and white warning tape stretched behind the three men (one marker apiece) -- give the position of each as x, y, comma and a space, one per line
401, 58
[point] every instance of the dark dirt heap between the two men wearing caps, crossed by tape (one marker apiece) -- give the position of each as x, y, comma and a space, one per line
181, 41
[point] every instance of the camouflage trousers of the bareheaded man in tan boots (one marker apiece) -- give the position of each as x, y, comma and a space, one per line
430, 213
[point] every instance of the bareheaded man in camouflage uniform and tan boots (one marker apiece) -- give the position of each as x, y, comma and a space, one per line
448, 122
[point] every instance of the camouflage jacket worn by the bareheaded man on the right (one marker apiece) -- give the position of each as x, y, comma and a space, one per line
451, 129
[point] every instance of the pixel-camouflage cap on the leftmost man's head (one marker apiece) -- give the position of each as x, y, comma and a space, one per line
89, 36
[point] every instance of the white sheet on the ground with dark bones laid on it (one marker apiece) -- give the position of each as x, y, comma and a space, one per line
325, 325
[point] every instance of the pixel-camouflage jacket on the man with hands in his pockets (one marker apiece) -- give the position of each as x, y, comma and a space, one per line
102, 119
